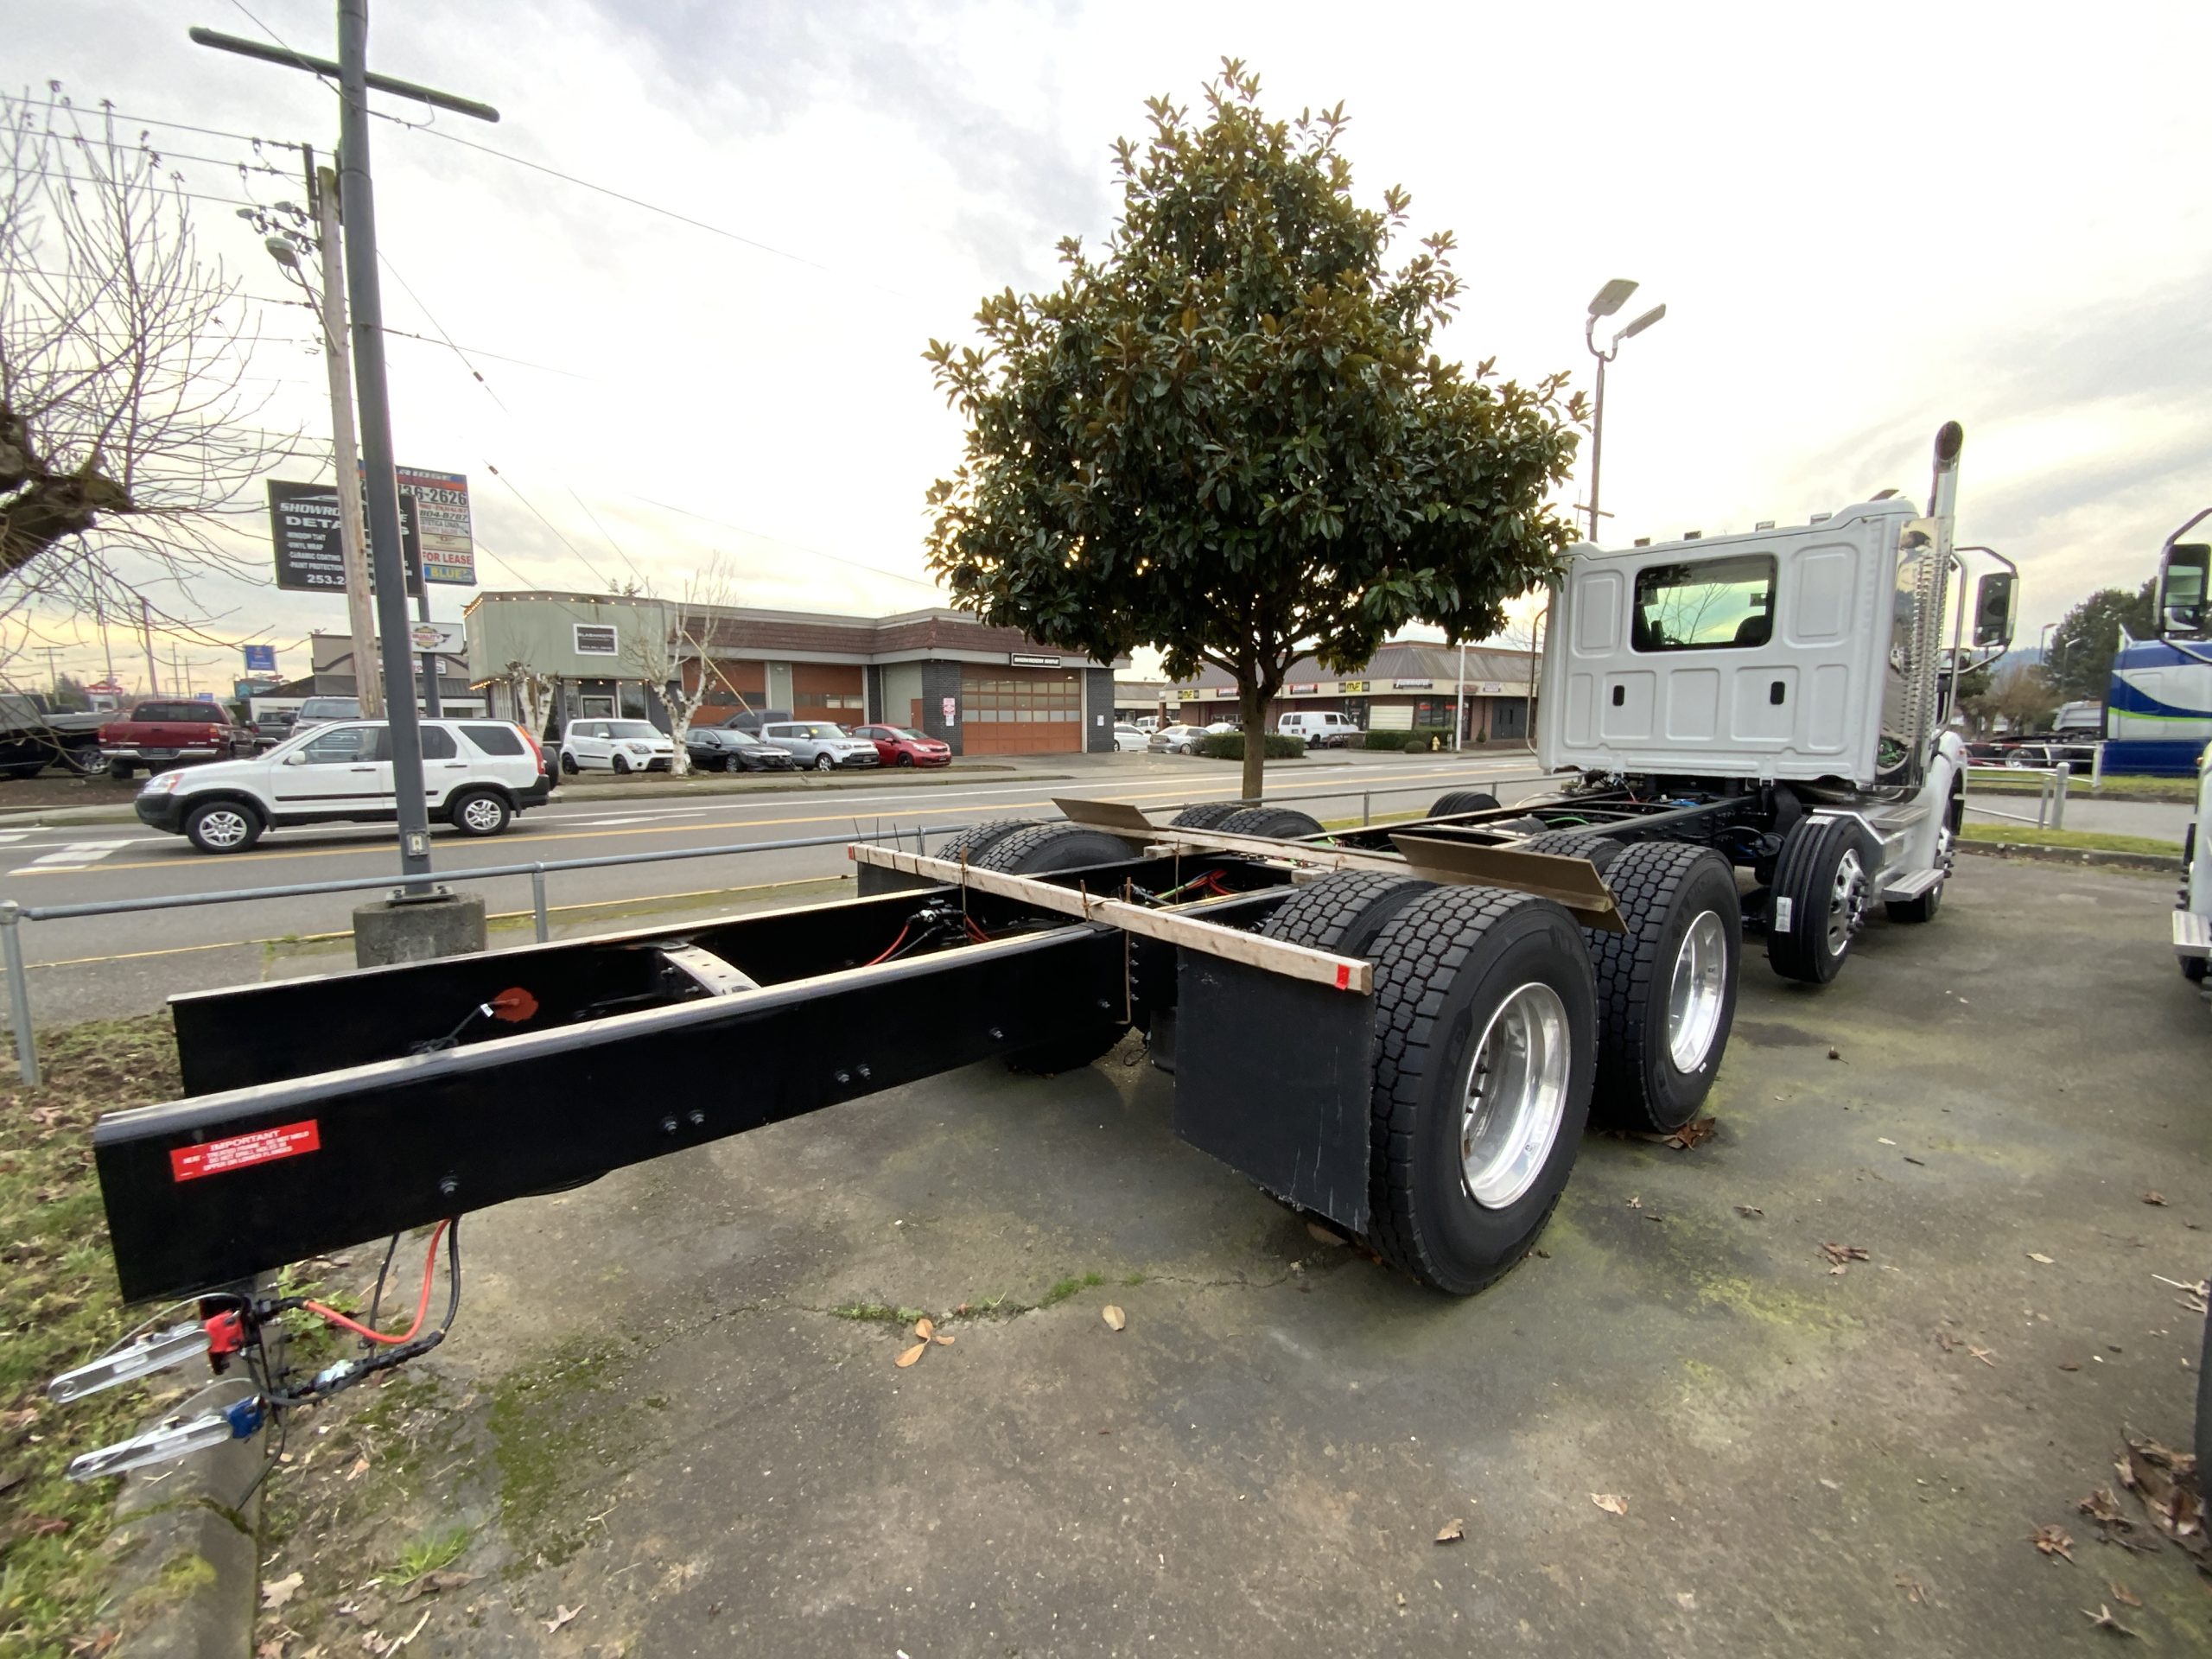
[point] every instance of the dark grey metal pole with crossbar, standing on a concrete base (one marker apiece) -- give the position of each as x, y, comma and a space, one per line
357, 207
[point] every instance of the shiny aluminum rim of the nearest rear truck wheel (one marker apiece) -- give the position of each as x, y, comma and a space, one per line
1516, 1096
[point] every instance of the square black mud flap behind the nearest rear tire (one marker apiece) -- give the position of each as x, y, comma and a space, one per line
1275, 1083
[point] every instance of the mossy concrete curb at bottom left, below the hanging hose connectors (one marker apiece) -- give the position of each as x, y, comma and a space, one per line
187, 1561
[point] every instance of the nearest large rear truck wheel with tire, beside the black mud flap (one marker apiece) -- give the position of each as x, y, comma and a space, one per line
1454, 970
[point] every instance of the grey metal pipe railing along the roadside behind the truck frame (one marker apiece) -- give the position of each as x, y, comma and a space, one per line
14, 915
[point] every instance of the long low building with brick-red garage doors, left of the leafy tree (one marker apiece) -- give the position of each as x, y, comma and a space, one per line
983, 691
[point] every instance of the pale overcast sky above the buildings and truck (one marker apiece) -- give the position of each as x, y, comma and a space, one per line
1864, 222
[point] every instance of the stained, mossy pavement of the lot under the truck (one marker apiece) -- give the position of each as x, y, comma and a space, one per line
669, 1412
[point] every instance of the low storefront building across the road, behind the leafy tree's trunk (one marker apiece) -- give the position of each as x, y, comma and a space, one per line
1408, 687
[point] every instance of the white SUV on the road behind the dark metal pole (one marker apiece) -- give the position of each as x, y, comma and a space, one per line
479, 775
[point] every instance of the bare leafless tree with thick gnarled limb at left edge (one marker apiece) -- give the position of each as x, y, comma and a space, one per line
125, 435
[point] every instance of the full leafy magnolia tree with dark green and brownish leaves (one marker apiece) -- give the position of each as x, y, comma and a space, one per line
1227, 432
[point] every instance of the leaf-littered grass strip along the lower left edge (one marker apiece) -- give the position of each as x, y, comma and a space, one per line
59, 1311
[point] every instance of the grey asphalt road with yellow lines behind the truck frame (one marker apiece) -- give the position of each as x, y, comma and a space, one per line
112, 966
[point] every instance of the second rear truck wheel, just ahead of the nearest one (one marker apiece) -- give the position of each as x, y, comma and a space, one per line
1667, 990
